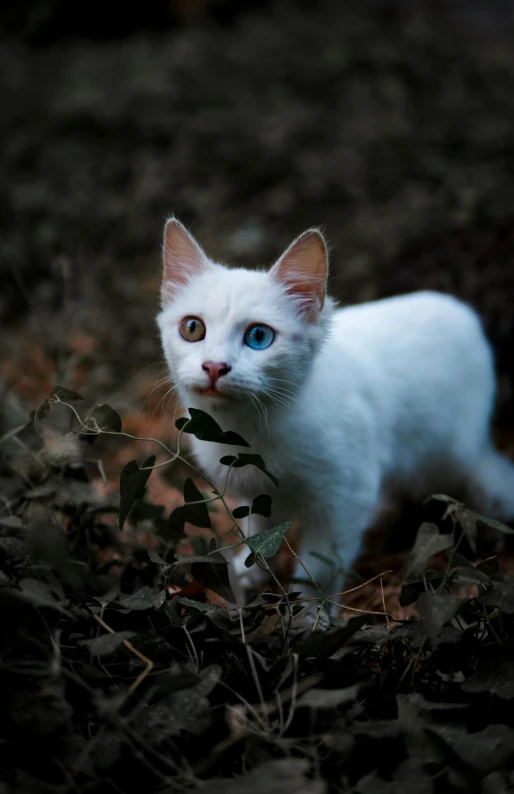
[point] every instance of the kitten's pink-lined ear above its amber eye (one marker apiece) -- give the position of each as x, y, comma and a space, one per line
183, 258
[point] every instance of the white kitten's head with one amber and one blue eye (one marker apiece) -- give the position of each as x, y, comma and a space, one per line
230, 335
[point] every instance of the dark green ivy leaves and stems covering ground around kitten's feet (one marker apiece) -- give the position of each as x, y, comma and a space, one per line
125, 667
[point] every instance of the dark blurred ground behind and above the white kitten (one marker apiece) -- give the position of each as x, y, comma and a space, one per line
391, 124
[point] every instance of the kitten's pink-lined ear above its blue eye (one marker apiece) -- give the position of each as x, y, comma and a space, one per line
303, 270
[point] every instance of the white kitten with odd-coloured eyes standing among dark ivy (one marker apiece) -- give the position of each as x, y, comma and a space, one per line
342, 404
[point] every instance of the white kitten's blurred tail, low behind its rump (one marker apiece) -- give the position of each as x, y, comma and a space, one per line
491, 485
